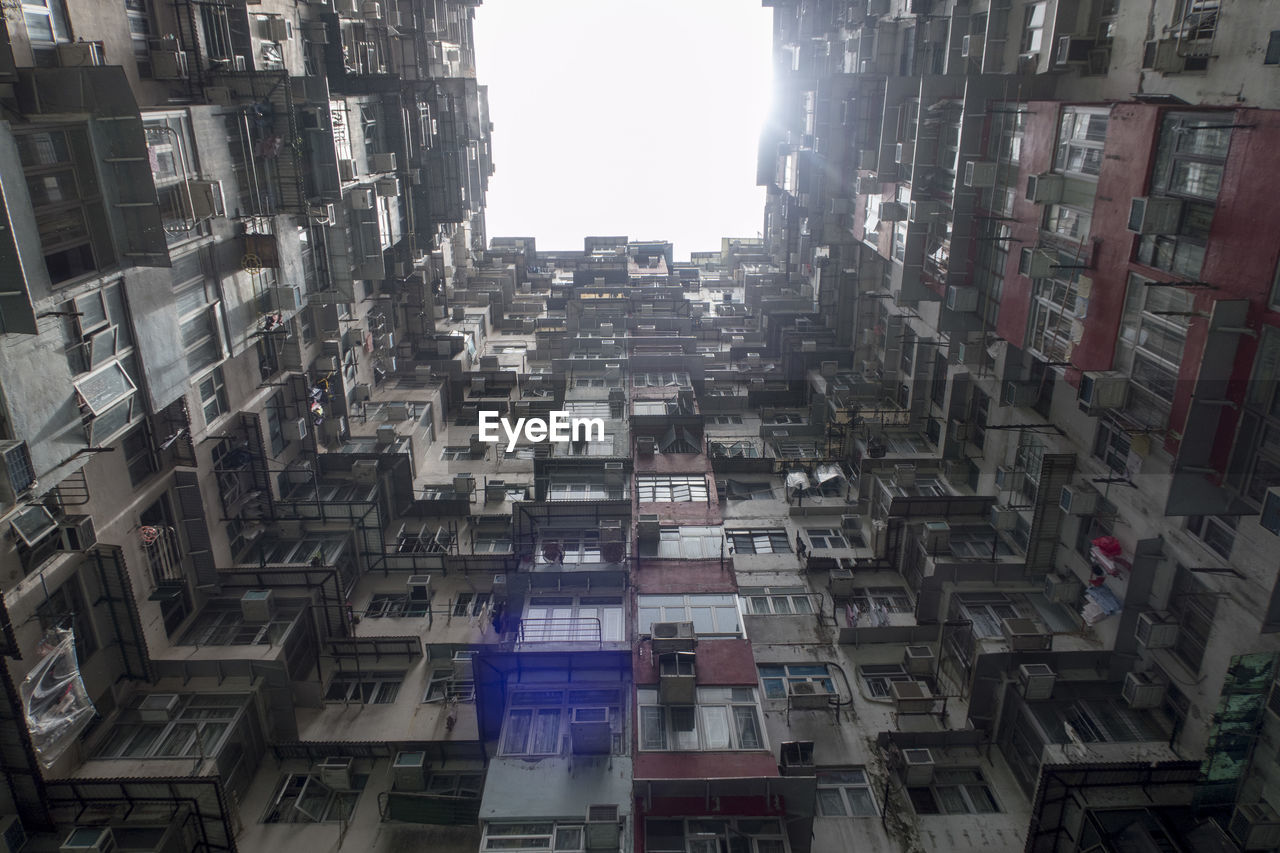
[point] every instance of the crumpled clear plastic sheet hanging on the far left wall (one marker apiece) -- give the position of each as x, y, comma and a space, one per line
54, 697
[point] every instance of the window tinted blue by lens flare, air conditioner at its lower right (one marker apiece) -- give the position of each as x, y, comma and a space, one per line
537, 722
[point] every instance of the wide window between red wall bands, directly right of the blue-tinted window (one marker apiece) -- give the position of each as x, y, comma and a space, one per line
724, 719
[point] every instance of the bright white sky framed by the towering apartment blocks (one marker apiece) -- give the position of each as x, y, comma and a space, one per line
619, 117
